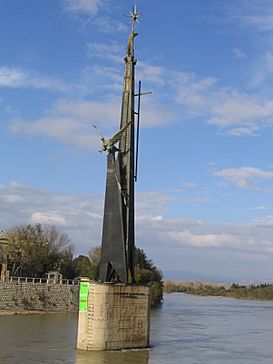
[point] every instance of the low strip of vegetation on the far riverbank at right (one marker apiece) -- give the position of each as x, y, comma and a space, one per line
251, 292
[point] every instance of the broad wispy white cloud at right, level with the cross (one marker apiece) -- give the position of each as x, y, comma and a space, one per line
232, 111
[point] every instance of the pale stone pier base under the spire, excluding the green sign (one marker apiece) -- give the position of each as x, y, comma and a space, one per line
117, 317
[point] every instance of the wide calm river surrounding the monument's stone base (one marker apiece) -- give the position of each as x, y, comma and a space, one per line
186, 329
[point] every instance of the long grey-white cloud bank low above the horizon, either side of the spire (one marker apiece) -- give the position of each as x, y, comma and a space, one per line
170, 241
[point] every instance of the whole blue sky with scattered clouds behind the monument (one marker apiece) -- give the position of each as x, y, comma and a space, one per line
205, 187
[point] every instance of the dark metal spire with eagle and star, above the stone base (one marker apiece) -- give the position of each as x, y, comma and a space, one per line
118, 236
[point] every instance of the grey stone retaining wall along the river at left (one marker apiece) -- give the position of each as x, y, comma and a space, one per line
36, 296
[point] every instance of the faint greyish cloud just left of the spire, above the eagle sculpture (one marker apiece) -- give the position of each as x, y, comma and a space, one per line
70, 122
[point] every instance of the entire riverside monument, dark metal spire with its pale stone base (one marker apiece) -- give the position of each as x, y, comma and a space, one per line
114, 312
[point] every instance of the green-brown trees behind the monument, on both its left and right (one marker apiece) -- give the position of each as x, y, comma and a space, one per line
34, 250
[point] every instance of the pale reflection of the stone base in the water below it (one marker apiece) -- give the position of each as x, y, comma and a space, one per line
112, 357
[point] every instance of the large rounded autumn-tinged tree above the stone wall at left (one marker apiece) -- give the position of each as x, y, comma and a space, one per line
37, 249
